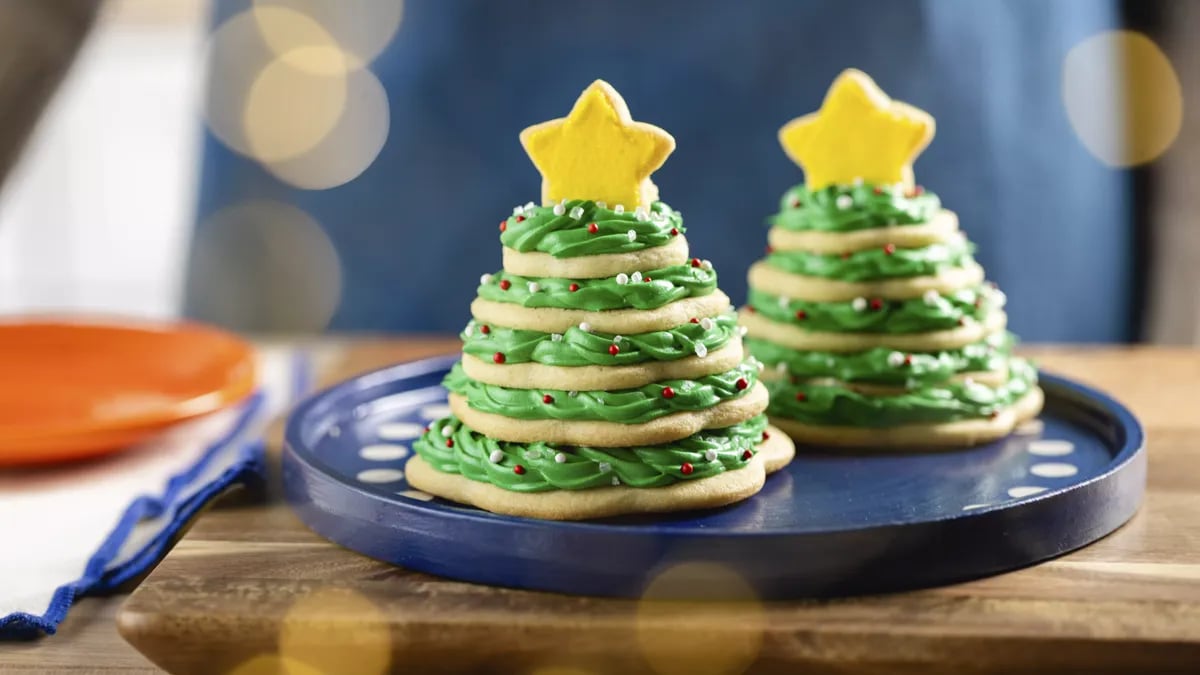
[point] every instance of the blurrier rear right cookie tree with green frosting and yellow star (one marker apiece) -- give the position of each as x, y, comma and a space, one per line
874, 321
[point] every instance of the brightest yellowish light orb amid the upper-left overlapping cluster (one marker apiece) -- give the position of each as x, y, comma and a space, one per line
291, 110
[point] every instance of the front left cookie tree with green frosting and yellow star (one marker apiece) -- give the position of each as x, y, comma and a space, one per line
603, 371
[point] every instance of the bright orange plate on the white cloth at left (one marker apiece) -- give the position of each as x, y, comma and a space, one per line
77, 390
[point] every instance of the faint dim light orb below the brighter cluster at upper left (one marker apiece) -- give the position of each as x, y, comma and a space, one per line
267, 267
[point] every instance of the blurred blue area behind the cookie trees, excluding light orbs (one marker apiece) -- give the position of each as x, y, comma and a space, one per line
416, 231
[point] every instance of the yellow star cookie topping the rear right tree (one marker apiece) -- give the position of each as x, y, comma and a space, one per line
859, 134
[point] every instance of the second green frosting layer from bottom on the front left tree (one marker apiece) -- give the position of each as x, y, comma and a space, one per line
626, 407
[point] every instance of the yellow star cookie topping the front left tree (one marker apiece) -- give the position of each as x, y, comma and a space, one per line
598, 152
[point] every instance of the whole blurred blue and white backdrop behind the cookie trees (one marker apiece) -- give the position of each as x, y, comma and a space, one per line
295, 166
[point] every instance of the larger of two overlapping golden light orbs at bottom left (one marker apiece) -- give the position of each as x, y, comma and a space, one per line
338, 631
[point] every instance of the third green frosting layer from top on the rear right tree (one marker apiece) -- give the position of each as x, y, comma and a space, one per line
917, 315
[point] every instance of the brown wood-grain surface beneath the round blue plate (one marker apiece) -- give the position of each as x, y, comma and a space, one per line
249, 588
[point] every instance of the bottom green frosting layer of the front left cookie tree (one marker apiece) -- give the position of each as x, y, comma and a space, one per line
545, 467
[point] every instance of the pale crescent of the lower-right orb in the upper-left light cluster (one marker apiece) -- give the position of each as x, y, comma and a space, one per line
350, 147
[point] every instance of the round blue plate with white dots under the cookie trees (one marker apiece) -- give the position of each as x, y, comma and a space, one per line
832, 523
